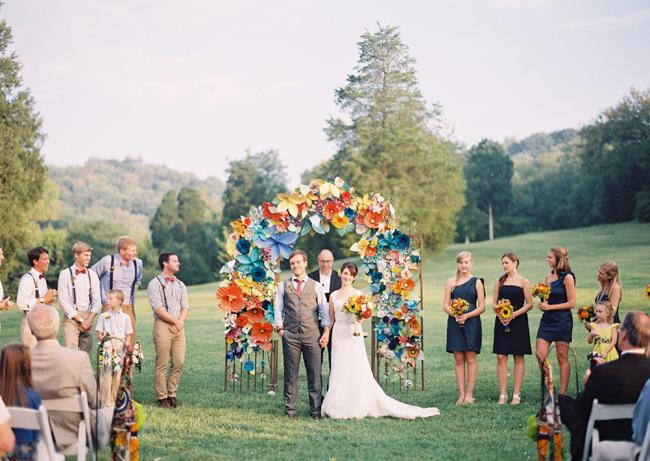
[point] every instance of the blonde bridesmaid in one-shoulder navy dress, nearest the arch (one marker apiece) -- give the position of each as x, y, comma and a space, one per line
464, 333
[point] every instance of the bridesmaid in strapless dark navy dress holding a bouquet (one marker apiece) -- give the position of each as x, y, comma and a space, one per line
515, 288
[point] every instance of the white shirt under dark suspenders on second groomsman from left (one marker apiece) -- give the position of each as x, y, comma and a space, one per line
85, 290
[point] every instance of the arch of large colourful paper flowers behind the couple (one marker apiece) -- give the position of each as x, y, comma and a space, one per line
260, 240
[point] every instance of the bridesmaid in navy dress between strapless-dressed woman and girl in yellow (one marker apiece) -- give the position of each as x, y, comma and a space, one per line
556, 324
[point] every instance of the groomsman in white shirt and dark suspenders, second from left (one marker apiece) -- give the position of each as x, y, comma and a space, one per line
80, 299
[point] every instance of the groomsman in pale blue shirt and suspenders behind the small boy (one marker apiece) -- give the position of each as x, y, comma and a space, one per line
121, 271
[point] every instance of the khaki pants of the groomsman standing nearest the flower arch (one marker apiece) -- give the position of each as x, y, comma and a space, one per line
168, 346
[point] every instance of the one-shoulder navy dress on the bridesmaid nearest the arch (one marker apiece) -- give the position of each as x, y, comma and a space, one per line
469, 336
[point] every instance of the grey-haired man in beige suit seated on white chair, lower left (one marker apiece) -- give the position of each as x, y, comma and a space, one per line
59, 372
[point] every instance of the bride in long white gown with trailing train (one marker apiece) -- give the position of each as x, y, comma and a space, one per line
353, 391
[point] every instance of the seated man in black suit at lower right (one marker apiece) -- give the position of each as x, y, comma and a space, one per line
616, 382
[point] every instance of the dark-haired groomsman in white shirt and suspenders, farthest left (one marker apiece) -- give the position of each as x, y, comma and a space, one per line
32, 289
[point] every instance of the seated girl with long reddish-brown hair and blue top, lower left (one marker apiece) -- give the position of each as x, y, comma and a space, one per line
16, 390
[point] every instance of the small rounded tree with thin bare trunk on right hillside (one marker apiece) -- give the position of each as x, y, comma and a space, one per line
488, 173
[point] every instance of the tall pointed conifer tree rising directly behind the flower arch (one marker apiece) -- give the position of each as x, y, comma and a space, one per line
390, 143
